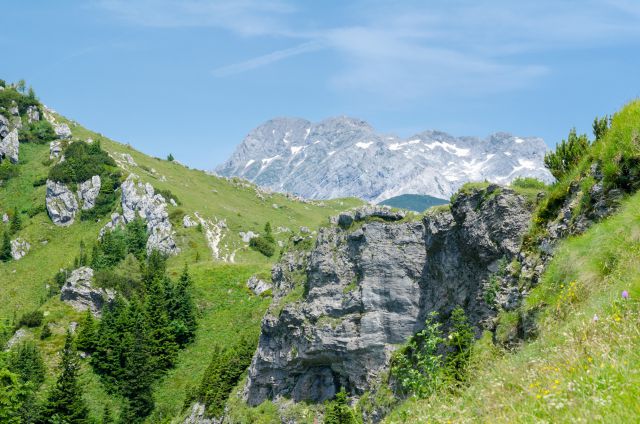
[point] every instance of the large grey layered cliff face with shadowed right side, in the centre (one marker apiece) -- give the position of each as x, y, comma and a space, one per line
370, 289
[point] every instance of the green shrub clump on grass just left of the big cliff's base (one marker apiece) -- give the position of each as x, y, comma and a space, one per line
223, 373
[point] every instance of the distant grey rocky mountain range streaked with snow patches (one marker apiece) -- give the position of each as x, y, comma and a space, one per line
343, 156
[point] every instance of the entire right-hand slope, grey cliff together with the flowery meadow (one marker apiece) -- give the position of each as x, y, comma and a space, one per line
548, 301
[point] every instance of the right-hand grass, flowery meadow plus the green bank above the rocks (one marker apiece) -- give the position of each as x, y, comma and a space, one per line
584, 363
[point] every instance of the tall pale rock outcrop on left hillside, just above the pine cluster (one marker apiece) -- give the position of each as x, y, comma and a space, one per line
140, 199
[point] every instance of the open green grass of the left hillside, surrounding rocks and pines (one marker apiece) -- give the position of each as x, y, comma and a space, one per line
227, 309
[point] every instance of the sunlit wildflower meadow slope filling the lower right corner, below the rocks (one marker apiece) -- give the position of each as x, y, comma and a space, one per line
580, 368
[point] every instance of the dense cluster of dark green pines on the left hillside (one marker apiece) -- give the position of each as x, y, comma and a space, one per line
137, 340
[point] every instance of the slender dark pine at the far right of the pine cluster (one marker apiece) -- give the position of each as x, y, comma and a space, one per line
183, 310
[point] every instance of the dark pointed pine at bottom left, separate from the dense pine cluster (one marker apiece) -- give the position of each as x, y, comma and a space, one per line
65, 403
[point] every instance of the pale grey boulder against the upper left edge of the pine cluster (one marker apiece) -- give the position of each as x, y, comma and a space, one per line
79, 292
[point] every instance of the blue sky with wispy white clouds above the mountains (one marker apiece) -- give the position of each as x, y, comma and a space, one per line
193, 77
